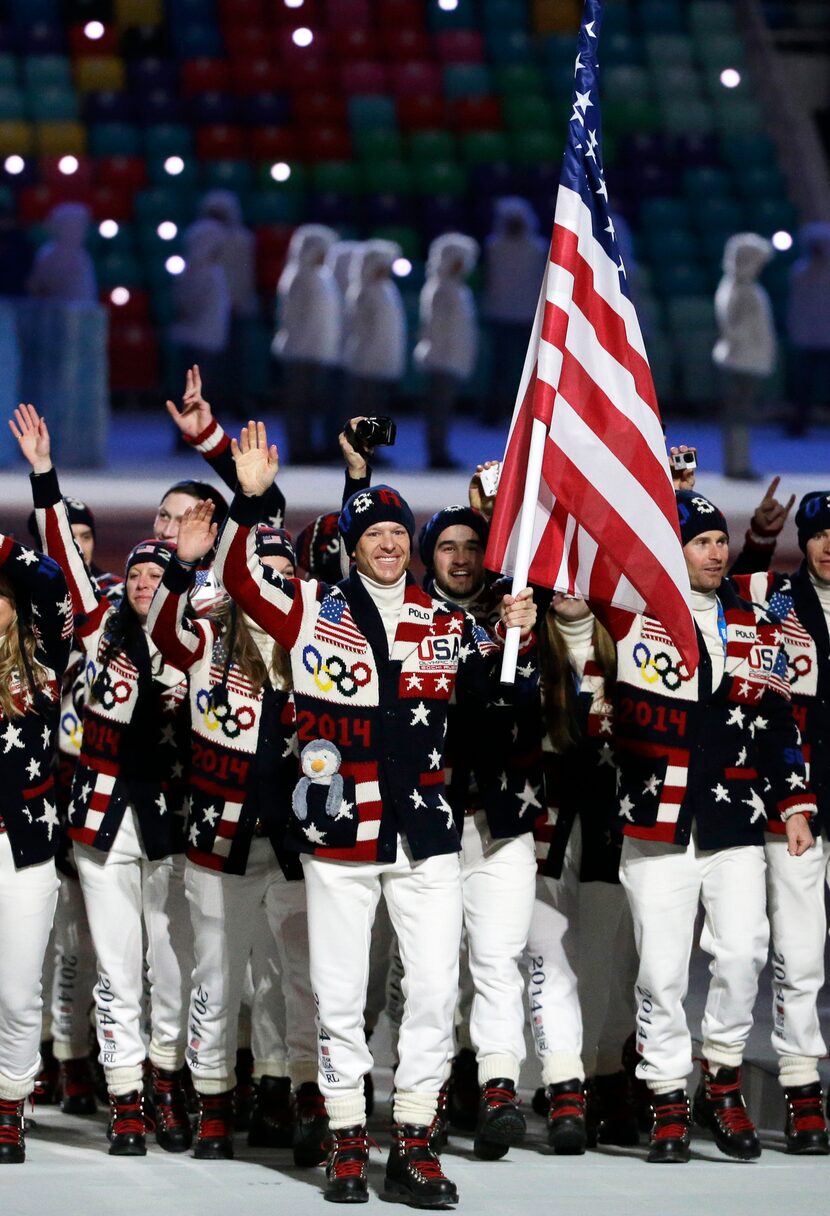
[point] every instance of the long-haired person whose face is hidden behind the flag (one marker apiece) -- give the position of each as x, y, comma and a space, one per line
583, 960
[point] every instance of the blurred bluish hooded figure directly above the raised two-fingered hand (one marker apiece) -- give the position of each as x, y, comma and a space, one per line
201, 305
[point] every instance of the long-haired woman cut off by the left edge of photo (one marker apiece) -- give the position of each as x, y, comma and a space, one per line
36, 637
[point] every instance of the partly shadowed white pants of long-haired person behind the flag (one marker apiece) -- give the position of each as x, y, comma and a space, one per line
583, 965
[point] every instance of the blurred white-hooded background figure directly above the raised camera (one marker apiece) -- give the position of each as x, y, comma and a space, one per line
375, 348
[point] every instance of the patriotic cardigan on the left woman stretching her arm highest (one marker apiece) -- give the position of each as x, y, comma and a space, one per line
134, 736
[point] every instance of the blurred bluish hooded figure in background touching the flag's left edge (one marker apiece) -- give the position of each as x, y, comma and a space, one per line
515, 261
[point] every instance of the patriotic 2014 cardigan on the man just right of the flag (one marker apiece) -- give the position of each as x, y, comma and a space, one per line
690, 753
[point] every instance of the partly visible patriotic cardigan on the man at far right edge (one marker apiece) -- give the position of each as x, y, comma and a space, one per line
806, 640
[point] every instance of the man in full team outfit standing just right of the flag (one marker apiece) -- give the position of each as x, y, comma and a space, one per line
695, 755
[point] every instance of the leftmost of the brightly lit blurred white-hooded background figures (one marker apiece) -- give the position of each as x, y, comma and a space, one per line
308, 342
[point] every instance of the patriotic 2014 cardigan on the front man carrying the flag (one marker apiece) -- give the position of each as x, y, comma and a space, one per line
386, 712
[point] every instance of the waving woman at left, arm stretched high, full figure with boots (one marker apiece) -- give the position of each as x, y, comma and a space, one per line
127, 820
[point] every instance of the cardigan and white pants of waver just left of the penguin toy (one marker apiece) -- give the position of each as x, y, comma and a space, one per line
242, 774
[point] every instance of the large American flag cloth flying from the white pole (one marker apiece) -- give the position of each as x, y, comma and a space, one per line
606, 520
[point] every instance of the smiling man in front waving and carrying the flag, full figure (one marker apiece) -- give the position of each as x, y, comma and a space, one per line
375, 662
